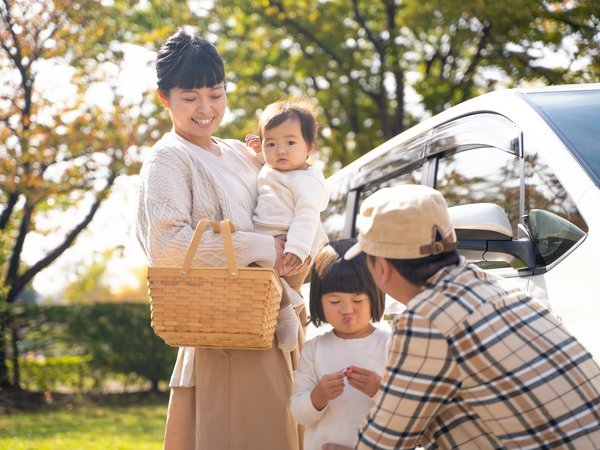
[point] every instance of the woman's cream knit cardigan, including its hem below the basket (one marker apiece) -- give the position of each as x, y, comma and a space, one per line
180, 184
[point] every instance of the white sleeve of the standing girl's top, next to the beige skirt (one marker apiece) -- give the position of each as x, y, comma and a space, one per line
305, 380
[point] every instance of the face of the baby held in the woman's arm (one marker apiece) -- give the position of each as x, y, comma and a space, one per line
284, 147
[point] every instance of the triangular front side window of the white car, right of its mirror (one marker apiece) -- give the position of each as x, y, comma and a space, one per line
552, 217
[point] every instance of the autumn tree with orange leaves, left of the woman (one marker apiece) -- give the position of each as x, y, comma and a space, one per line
59, 155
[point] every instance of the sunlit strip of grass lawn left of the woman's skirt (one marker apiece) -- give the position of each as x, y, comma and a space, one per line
116, 423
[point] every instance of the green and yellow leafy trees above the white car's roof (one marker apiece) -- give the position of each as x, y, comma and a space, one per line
360, 59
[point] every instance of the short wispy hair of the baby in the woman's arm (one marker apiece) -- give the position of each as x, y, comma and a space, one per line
292, 108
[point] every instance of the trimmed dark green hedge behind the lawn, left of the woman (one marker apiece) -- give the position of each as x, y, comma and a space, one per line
82, 346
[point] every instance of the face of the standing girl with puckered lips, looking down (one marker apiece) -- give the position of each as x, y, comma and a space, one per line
349, 314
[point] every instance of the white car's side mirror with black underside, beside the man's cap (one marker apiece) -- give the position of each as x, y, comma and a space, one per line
484, 233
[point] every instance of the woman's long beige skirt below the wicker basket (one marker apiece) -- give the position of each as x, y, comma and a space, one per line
241, 401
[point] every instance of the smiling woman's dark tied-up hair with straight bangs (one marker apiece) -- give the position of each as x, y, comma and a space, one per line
188, 61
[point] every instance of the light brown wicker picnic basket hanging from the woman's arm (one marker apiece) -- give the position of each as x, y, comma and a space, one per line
214, 307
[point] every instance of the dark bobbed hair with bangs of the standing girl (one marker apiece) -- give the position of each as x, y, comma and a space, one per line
332, 273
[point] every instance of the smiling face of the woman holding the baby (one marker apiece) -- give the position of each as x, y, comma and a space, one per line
196, 113
